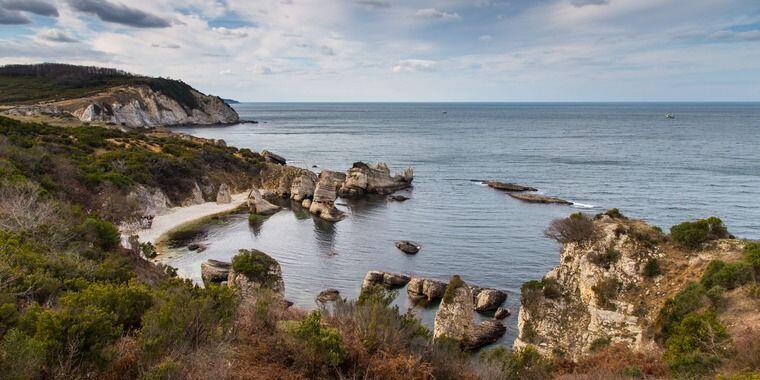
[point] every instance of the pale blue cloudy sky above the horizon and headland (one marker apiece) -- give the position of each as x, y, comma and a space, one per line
406, 50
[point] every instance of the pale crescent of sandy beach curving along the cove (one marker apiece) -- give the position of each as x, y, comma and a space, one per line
178, 216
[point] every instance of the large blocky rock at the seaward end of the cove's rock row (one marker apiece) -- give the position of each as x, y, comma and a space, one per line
374, 179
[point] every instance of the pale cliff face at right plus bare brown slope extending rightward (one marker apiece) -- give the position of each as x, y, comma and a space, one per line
600, 294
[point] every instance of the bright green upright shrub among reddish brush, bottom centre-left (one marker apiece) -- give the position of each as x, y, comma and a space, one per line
322, 342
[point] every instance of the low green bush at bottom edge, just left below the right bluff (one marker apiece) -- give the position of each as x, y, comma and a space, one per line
525, 363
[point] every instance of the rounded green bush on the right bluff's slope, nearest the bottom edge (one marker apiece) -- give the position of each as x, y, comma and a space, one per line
696, 346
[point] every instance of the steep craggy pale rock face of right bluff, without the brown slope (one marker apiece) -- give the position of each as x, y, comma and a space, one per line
563, 312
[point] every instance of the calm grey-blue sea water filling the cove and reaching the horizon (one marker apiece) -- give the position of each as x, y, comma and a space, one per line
704, 162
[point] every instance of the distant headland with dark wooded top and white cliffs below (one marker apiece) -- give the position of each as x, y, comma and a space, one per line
106, 96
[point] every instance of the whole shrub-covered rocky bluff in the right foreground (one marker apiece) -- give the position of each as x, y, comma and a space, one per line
688, 301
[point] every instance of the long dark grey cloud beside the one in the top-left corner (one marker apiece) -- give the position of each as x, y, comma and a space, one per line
119, 14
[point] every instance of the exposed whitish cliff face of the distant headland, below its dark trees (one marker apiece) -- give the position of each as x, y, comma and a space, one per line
141, 106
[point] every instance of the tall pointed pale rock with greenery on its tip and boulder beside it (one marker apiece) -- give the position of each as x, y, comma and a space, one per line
455, 318
